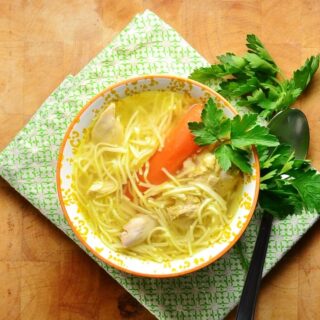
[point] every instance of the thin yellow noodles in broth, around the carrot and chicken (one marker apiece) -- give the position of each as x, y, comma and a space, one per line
190, 214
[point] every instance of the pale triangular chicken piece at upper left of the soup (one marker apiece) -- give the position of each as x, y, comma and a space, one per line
108, 128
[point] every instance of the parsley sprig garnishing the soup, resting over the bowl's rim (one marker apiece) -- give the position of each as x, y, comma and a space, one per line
232, 137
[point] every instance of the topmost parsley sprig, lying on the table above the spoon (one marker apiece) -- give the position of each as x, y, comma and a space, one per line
255, 81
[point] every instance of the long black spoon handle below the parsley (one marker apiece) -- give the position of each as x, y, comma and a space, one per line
251, 287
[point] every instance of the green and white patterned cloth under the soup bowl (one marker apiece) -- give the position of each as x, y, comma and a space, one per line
28, 163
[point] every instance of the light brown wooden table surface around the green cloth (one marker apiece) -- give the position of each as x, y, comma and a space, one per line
43, 275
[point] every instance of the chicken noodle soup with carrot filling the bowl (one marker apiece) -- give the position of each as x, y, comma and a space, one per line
143, 184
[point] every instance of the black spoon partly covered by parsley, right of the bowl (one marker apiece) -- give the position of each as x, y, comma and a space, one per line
291, 127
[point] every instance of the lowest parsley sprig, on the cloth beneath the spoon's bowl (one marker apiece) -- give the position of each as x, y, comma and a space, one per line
288, 185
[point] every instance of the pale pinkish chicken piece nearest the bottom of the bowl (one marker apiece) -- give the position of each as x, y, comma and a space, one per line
137, 230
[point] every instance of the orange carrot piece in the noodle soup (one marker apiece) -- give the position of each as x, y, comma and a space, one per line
178, 146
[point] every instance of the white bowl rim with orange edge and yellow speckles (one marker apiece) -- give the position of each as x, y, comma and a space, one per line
82, 228
